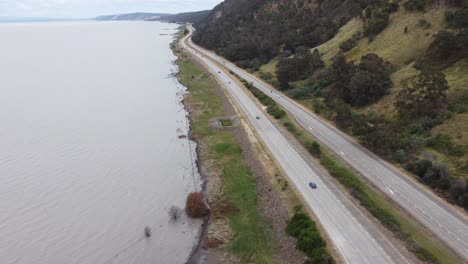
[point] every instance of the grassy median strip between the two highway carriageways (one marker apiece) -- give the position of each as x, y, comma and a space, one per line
417, 240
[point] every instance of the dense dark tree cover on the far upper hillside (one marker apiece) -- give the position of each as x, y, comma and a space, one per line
251, 32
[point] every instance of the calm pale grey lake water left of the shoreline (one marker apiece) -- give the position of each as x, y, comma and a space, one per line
90, 119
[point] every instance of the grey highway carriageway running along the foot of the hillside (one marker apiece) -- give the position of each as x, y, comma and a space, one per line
440, 218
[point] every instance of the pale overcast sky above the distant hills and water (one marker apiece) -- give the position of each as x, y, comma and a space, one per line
92, 8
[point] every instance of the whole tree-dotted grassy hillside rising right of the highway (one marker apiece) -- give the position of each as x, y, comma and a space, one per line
394, 75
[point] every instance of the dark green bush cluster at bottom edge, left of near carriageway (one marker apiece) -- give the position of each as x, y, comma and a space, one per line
309, 239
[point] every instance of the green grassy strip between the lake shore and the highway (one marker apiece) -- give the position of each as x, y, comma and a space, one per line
252, 241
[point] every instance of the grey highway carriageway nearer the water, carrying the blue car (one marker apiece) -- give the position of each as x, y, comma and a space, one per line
354, 236
